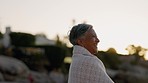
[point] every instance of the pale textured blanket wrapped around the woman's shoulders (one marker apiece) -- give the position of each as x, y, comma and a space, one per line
86, 68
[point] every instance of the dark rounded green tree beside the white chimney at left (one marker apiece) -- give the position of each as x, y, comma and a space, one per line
21, 39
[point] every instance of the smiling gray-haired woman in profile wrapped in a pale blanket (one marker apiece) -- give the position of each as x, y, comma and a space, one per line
85, 66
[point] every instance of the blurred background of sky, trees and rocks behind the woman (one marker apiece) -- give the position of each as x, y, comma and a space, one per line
34, 46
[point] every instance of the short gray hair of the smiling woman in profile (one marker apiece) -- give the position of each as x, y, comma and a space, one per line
77, 31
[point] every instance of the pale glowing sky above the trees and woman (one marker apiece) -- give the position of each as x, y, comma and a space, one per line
118, 23
